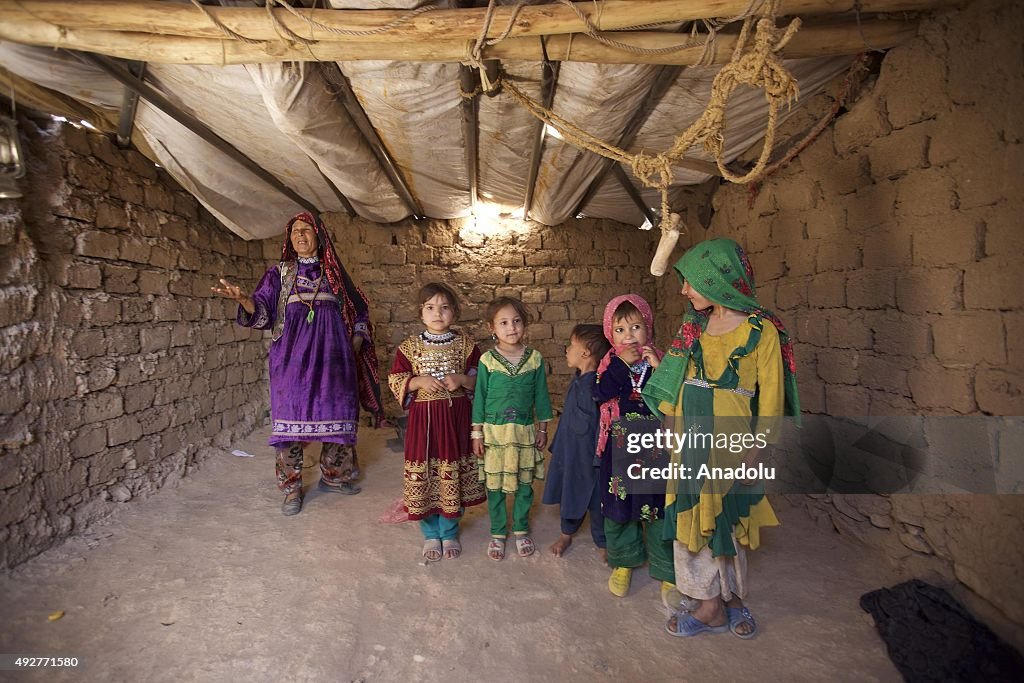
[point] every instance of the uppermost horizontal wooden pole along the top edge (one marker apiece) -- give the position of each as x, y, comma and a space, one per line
186, 20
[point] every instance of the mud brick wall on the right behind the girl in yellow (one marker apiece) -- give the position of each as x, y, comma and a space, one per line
891, 247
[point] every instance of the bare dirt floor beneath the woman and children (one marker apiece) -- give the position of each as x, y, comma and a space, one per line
207, 581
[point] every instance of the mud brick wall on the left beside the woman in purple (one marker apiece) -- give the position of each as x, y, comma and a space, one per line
119, 371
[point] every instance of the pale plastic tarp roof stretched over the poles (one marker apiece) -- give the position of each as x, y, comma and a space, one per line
288, 119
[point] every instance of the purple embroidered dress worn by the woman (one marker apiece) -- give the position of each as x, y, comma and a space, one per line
314, 386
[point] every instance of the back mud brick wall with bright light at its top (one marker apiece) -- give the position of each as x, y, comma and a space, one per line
565, 275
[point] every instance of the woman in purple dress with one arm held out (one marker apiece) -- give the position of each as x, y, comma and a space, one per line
323, 362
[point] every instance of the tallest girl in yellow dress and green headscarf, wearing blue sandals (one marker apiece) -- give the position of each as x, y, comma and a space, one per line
730, 373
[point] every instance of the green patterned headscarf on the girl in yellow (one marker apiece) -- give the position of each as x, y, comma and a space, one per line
720, 272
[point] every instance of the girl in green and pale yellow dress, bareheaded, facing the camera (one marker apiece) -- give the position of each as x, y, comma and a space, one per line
511, 412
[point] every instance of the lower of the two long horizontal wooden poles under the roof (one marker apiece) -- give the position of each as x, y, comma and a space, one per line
831, 40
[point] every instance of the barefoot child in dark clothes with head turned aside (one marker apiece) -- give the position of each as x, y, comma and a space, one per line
573, 476
